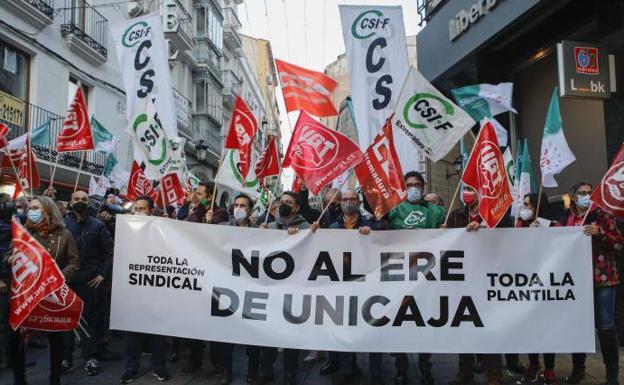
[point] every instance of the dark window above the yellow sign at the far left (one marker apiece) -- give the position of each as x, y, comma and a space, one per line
14, 68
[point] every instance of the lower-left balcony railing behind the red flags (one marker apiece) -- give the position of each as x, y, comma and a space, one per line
35, 117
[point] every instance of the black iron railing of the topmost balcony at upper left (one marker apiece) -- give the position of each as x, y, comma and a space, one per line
86, 23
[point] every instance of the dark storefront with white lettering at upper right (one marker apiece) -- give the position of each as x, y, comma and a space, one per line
490, 41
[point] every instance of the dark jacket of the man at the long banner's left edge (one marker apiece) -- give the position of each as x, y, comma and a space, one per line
95, 247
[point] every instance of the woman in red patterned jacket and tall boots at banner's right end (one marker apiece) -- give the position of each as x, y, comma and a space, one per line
607, 241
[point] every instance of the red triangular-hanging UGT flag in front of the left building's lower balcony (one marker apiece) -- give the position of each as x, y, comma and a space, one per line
76, 132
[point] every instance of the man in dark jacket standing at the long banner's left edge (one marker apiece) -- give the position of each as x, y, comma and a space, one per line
95, 247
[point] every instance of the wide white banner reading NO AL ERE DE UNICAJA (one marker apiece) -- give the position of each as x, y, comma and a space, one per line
439, 291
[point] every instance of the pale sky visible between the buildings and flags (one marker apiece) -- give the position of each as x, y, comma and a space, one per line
306, 33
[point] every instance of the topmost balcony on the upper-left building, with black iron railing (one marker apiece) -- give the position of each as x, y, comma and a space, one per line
85, 31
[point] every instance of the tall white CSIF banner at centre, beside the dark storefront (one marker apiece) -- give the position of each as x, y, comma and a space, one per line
376, 51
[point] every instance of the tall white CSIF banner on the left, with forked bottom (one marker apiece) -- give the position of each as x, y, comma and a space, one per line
143, 59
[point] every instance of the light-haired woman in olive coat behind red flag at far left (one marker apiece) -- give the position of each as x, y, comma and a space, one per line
46, 225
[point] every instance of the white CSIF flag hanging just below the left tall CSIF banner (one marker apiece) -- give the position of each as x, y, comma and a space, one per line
151, 140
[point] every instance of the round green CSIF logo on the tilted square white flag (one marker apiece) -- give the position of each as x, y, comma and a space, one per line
432, 110
